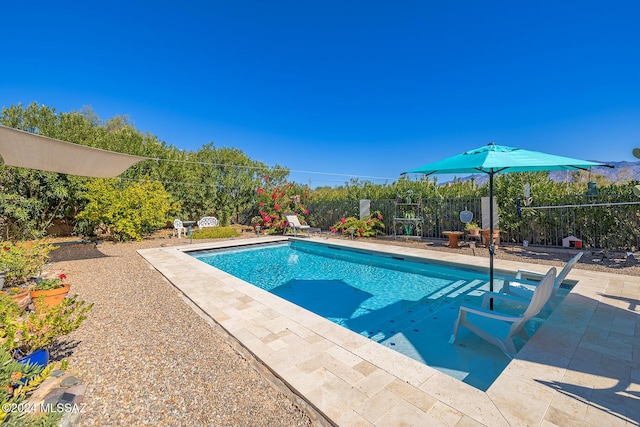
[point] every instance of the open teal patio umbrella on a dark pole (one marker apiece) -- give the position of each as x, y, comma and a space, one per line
493, 159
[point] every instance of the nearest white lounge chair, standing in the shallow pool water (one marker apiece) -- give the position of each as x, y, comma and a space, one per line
500, 328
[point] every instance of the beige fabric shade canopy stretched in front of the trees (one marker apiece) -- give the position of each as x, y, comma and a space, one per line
28, 150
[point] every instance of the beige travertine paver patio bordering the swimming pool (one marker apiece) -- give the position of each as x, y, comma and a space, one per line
581, 368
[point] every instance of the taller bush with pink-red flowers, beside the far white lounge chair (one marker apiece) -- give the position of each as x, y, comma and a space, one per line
274, 201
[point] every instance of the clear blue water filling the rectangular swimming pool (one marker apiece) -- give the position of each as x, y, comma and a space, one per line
405, 305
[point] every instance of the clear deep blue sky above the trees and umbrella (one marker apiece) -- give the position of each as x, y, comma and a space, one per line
368, 88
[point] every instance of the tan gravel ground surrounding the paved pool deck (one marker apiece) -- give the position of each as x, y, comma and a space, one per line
149, 359
